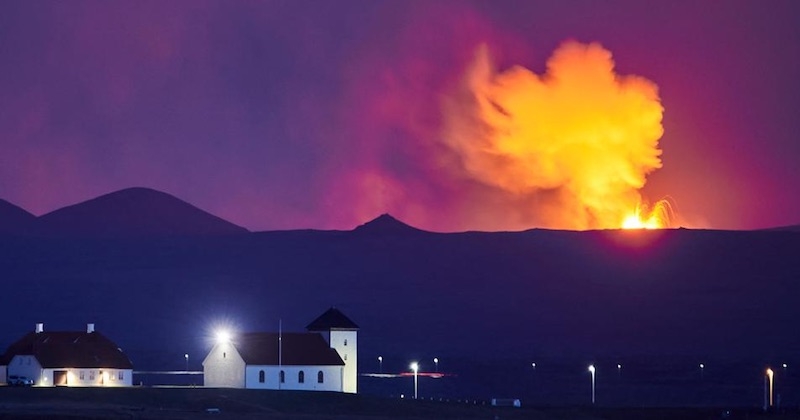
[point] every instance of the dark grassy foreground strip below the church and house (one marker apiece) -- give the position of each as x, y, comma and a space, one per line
182, 403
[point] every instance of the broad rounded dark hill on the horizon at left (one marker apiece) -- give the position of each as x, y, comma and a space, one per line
134, 212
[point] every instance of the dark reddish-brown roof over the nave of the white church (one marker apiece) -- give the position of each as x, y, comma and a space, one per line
297, 349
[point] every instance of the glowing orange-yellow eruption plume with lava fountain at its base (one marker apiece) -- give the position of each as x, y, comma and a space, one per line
575, 143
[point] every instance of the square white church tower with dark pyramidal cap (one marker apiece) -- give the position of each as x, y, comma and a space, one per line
342, 335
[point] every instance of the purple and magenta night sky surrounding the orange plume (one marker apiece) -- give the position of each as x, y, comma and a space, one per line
294, 114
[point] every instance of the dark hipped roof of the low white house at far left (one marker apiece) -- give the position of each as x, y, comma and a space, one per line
75, 349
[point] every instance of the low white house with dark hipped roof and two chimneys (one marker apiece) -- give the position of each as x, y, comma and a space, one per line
67, 358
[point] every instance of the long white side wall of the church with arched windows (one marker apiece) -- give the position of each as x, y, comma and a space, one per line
331, 375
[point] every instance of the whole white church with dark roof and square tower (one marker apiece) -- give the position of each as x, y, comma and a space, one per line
323, 359
